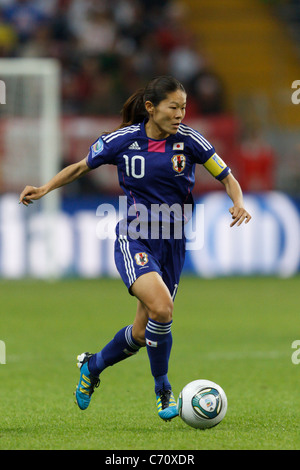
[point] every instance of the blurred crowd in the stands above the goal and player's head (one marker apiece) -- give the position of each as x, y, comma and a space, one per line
109, 48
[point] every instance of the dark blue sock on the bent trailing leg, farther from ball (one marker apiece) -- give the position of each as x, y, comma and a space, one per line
119, 348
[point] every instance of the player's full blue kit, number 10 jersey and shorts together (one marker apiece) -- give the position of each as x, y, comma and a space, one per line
154, 173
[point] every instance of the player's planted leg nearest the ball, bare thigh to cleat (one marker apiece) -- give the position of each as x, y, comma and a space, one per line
157, 308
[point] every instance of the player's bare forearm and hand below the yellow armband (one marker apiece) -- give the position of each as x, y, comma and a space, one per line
233, 189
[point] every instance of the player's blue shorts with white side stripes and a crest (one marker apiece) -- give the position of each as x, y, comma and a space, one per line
134, 258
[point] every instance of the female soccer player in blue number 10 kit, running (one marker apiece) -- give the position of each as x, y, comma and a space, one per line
155, 154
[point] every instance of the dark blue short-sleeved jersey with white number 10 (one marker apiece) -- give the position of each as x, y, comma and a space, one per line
156, 171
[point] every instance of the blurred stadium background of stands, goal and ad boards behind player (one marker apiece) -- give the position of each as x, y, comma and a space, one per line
237, 59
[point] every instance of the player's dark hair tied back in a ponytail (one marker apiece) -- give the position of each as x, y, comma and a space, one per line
156, 90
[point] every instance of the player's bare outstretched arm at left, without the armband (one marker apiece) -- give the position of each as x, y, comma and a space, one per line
67, 175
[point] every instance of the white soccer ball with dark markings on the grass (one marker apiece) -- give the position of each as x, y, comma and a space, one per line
202, 404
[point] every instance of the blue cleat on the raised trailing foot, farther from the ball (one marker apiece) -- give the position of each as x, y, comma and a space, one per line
87, 382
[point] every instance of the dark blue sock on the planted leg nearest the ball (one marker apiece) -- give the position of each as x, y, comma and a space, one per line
159, 343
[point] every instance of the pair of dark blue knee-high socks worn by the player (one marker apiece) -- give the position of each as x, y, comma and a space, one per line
158, 342
